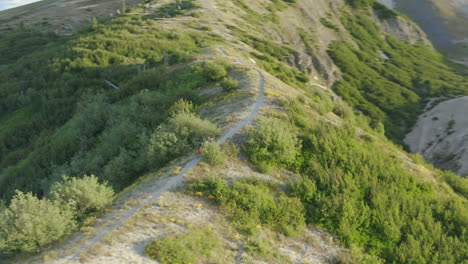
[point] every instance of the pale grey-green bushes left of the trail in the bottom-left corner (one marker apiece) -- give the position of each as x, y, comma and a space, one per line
29, 223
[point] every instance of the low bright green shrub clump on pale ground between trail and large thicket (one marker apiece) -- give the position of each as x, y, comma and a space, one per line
251, 203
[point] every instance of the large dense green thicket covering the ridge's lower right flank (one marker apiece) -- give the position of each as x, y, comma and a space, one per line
368, 198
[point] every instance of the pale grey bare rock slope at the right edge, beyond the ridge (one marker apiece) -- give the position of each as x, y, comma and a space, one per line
441, 135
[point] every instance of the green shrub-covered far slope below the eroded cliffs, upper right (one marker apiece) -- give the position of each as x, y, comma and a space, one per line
392, 91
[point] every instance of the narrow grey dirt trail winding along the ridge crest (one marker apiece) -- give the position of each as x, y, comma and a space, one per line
167, 183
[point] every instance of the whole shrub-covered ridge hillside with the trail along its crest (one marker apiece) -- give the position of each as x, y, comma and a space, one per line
312, 179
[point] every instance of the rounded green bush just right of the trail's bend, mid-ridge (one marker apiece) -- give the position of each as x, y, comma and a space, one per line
272, 143
